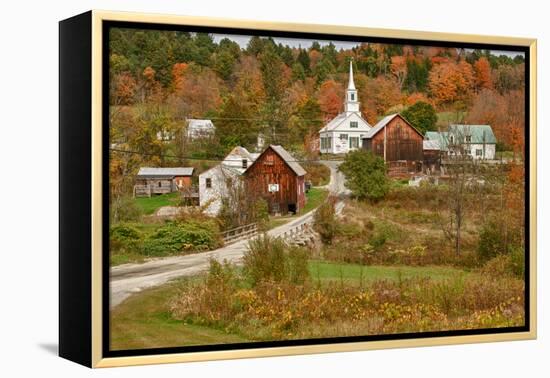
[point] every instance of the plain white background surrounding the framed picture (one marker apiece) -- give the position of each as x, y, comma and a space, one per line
28, 148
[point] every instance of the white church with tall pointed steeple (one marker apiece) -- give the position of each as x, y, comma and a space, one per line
345, 132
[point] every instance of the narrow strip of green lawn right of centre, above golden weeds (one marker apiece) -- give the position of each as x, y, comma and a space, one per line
351, 273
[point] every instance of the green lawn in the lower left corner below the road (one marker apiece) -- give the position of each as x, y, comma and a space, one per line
144, 321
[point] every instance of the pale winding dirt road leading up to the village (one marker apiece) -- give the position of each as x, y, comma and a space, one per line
128, 279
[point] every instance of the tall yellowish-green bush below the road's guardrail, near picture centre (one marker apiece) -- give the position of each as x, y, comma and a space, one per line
271, 259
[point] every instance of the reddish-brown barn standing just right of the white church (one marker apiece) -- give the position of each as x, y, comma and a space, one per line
397, 142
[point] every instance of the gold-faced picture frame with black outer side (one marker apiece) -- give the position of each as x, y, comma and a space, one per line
90, 329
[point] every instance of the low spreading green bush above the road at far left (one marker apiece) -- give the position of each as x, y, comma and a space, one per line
177, 237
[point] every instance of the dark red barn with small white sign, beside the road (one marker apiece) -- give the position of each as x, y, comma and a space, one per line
278, 178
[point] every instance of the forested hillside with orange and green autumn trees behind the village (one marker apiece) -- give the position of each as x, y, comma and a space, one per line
160, 78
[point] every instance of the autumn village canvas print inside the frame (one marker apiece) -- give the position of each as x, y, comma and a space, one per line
277, 188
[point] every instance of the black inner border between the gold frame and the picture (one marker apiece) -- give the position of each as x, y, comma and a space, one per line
106, 352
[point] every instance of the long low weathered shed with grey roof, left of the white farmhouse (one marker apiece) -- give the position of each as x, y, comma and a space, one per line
151, 180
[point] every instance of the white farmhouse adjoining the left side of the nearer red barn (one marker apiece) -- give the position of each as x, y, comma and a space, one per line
214, 183
